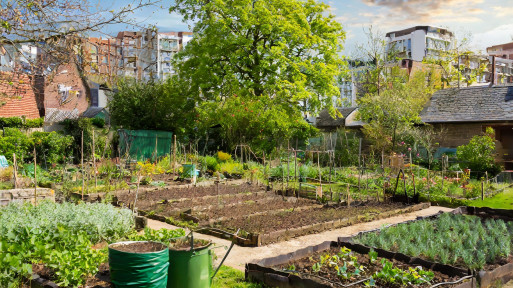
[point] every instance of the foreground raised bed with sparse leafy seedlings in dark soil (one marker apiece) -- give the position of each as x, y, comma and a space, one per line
333, 264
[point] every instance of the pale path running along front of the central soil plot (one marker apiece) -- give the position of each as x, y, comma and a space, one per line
239, 256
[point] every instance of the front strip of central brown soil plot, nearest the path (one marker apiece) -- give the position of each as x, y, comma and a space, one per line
262, 229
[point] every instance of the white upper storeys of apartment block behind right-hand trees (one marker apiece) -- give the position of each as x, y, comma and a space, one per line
417, 43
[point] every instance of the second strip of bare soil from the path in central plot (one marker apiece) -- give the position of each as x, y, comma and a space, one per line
252, 207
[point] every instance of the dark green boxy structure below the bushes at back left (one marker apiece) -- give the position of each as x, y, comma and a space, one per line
140, 144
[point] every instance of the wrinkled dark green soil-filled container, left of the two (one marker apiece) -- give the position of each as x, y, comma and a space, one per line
142, 270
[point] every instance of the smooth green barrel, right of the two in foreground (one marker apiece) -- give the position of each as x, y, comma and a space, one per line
190, 268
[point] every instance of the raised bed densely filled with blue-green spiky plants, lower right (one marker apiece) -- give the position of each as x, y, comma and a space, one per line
476, 240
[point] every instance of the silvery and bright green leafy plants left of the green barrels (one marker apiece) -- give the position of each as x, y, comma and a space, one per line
59, 236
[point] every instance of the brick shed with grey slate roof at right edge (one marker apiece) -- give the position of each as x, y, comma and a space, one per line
464, 113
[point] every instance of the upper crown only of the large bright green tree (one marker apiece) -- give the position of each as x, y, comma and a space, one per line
284, 50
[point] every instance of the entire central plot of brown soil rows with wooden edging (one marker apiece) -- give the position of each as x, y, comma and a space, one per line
260, 216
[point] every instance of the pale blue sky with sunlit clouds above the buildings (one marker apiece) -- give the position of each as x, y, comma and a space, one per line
487, 22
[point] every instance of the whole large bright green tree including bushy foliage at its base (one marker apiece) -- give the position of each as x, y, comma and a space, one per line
260, 66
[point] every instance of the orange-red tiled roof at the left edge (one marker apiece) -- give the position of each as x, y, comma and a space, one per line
17, 97
